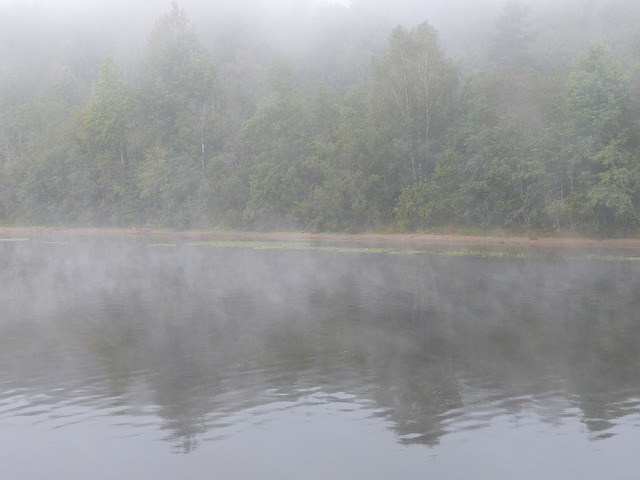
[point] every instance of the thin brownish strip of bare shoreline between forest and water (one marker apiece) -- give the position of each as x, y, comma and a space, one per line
357, 238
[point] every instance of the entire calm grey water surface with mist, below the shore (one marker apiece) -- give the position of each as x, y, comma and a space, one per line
124, 359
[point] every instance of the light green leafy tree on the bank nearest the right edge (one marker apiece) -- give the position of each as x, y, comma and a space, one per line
598, 95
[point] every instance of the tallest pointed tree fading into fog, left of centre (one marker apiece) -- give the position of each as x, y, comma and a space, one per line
178, 94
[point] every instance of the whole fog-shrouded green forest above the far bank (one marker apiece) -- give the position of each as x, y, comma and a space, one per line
371, 115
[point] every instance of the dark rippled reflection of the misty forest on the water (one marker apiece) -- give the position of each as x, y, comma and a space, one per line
210, 339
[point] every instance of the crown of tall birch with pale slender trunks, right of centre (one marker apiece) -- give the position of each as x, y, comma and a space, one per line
413, 84
